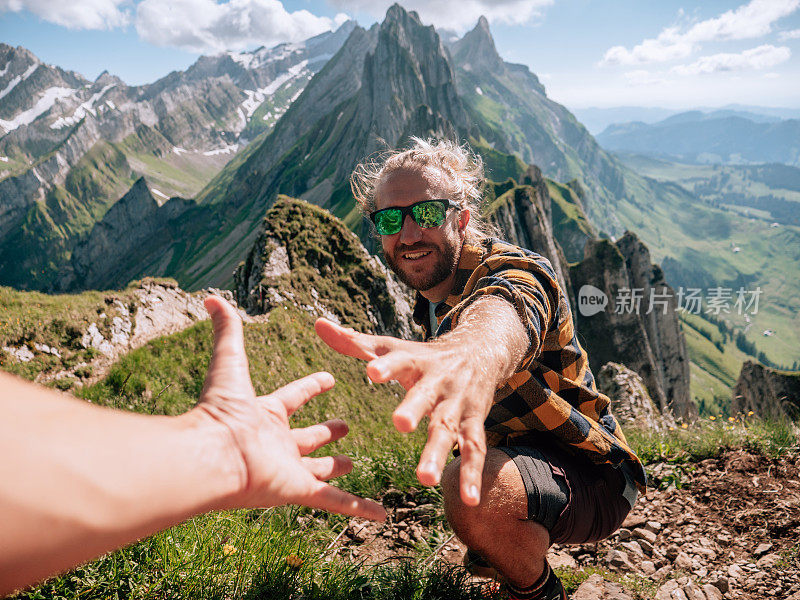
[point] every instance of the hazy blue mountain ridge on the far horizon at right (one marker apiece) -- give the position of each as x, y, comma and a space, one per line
719, 137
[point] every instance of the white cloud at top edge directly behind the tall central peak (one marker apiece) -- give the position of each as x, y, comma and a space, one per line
459, 15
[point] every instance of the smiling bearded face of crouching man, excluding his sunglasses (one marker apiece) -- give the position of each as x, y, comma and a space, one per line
423, 258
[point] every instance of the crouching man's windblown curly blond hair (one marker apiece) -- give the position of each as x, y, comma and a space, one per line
461, 168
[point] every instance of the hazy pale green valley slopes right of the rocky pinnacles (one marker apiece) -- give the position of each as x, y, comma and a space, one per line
695, 244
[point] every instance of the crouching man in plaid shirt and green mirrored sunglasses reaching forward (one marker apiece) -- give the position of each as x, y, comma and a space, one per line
502, 368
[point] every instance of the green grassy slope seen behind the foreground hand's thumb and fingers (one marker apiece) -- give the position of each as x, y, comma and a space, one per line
166, 377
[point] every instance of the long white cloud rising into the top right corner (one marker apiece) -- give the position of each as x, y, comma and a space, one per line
749, 21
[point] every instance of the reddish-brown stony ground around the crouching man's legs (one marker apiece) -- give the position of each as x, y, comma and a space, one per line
727, 527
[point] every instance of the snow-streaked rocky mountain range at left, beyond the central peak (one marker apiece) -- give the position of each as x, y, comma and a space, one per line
70, 148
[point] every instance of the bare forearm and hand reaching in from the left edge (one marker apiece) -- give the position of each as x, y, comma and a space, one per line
77, 480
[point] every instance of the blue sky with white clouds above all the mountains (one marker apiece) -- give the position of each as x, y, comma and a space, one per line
586, 52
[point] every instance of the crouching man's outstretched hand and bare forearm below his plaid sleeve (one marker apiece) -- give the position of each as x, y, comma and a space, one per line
452, 379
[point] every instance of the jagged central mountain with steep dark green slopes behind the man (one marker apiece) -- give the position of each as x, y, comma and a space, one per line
385, 84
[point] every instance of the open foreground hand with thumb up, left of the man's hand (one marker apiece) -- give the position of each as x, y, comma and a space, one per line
275, 470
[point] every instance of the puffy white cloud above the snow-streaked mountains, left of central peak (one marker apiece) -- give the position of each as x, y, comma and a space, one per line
209, 26
